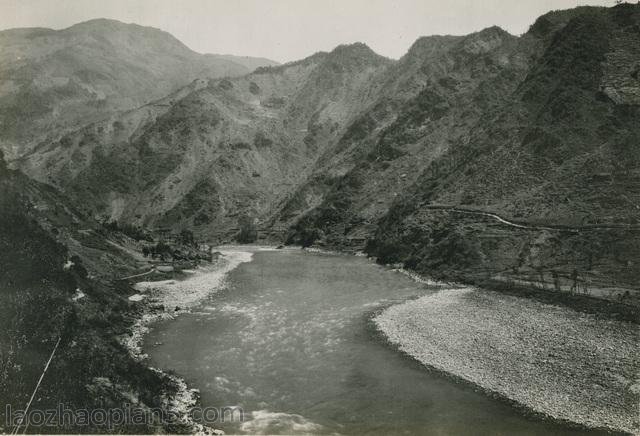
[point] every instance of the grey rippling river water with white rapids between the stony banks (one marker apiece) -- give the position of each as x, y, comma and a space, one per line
289, 339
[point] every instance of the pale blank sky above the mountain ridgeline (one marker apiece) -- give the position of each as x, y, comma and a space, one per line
286, 30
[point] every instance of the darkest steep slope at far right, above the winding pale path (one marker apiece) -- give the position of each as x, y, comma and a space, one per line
569, 132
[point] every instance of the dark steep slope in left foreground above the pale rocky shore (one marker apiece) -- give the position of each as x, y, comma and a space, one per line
56, 287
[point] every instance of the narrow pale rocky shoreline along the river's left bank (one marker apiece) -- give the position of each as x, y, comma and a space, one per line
167, 299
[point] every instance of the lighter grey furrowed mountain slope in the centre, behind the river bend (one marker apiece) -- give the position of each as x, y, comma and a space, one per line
216, 150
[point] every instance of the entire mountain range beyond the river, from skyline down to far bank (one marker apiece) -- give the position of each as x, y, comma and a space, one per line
348, 147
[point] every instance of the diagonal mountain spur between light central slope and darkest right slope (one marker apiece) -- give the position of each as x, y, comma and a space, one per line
429, 103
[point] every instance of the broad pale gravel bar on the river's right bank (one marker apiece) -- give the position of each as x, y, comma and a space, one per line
557, 362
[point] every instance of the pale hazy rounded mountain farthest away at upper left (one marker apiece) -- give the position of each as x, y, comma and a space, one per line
54, 80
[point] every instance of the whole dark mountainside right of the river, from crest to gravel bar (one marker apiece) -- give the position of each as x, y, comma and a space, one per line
537, 180
